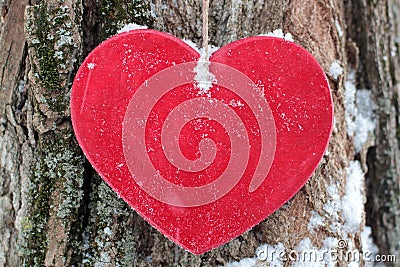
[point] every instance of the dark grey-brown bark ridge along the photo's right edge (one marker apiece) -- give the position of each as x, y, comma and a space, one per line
375, 26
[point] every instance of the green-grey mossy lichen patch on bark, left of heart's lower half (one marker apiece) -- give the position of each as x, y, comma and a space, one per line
58, 162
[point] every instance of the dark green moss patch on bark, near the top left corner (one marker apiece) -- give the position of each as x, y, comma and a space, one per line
50, 32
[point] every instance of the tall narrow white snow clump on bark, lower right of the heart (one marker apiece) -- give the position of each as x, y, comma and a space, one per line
353, 199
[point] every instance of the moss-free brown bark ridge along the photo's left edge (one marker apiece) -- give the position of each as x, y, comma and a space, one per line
14, 143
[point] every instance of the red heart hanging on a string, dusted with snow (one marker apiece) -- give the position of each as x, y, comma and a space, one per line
146, 127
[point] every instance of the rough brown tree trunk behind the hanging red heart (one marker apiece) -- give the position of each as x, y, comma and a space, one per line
56, 211
